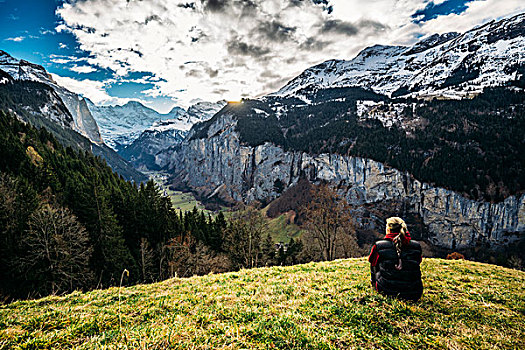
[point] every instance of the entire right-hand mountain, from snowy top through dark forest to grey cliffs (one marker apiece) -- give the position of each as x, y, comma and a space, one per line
432, 131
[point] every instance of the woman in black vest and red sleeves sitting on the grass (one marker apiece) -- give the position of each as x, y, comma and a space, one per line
394, 263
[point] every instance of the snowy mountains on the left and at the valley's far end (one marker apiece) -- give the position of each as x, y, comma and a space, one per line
78, 122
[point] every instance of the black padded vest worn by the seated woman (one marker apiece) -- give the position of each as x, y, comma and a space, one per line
405, 283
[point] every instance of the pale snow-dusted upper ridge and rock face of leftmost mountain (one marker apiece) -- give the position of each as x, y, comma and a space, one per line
22, 70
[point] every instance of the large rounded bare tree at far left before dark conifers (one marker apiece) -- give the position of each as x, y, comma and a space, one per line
58, 250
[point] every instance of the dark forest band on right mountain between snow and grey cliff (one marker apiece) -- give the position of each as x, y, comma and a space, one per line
472, 146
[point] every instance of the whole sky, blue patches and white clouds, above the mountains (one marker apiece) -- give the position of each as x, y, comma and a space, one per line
170, 52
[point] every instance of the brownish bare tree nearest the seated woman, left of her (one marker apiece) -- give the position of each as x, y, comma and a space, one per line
329, 224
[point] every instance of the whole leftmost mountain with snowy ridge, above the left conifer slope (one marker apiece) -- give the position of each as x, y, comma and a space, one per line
28, 91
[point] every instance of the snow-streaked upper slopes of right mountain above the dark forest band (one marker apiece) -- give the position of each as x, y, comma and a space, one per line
450, 65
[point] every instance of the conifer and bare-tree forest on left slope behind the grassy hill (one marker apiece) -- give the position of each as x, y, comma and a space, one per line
68, 222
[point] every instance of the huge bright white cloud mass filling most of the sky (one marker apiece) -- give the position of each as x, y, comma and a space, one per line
214, 49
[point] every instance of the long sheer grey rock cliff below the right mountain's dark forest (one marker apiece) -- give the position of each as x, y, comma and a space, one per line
220, 164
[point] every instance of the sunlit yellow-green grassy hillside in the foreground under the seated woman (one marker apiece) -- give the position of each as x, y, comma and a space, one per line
327, 305
